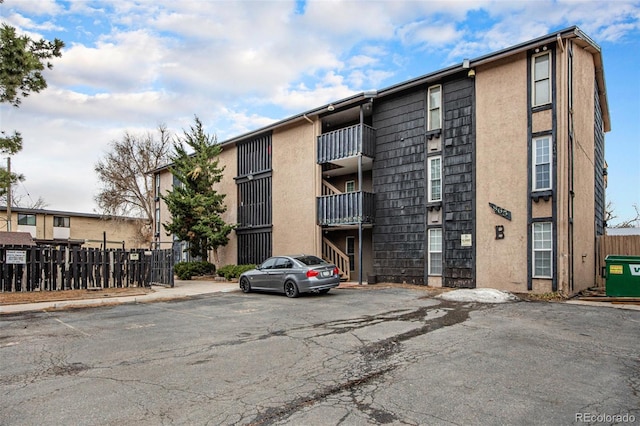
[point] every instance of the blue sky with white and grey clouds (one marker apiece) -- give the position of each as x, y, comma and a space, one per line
240, 65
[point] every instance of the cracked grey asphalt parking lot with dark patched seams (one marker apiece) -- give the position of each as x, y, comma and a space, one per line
352, 357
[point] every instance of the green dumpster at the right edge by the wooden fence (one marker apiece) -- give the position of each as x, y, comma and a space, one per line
623, 276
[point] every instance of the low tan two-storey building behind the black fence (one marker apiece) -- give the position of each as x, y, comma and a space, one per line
52, 227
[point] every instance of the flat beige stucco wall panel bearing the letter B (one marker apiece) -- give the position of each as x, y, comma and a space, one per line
501, 173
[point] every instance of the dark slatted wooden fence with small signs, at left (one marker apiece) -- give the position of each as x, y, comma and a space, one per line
35, 268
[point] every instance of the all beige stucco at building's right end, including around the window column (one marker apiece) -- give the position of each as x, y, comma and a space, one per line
501, 152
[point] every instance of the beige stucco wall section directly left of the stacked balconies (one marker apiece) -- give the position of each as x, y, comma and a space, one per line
295, 185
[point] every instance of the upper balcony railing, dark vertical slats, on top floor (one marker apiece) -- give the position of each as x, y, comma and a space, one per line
346, 142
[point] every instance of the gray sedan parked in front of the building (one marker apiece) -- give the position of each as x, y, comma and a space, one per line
292, 275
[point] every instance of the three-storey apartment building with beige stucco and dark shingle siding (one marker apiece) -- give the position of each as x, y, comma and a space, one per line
489, 173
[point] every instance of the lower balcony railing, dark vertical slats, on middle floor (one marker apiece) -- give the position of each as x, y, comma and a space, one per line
350, 208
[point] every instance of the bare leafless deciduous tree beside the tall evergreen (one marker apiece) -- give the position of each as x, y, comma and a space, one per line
127, 187
